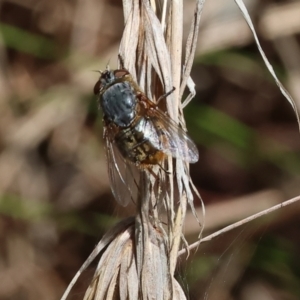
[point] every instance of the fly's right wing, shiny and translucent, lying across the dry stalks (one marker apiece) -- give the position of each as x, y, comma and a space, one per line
173, 140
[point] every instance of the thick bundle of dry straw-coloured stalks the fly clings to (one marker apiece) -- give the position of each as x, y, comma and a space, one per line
139, 255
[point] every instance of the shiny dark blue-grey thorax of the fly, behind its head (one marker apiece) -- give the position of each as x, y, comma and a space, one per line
118, 103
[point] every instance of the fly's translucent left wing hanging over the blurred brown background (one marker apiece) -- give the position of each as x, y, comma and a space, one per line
123, 176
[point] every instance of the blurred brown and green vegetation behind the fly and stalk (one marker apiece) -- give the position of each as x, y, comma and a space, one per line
55, 201
